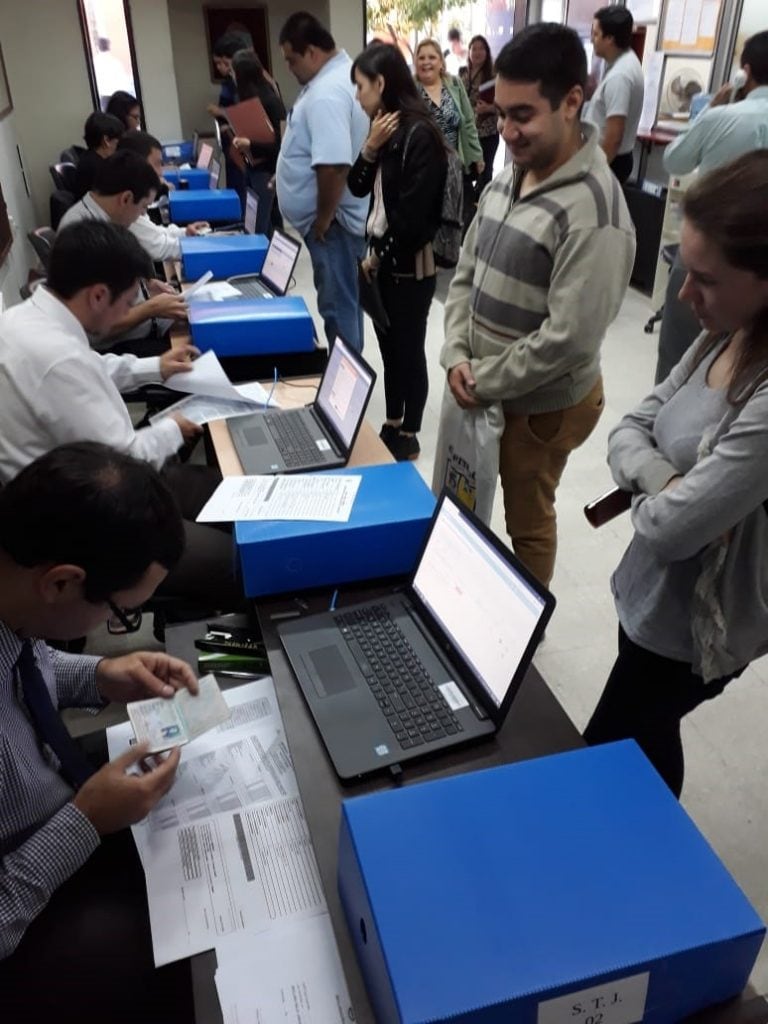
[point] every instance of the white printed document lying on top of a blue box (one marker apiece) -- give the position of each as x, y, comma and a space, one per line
302, 497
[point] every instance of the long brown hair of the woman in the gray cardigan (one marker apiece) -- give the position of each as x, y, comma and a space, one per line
730, 206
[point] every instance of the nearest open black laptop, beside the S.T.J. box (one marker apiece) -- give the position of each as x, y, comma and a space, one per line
433, 668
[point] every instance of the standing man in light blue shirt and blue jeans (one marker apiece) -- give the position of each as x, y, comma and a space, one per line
326, 131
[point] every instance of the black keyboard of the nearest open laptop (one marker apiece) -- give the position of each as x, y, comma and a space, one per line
409, 698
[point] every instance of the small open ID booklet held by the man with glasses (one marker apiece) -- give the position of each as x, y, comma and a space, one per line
168, 722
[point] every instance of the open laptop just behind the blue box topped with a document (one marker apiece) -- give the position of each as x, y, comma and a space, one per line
317, 437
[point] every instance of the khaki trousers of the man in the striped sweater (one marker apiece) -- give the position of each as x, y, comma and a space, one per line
534, 453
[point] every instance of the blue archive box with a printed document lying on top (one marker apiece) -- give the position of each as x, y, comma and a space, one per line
391, 518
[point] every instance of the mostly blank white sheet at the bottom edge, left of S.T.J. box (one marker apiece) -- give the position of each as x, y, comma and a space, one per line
290, 975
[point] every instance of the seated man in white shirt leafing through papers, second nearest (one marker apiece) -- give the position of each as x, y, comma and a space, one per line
58, 390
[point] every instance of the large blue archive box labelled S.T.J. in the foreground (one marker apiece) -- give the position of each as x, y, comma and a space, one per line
570, 888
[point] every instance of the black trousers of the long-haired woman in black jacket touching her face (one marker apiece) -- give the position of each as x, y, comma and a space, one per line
406, 382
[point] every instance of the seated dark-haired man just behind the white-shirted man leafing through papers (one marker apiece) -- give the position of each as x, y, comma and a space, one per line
124, 187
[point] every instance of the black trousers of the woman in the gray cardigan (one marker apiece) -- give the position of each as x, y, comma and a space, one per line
646, 699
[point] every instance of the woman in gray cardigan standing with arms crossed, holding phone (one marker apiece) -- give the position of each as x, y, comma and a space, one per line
692, 590
